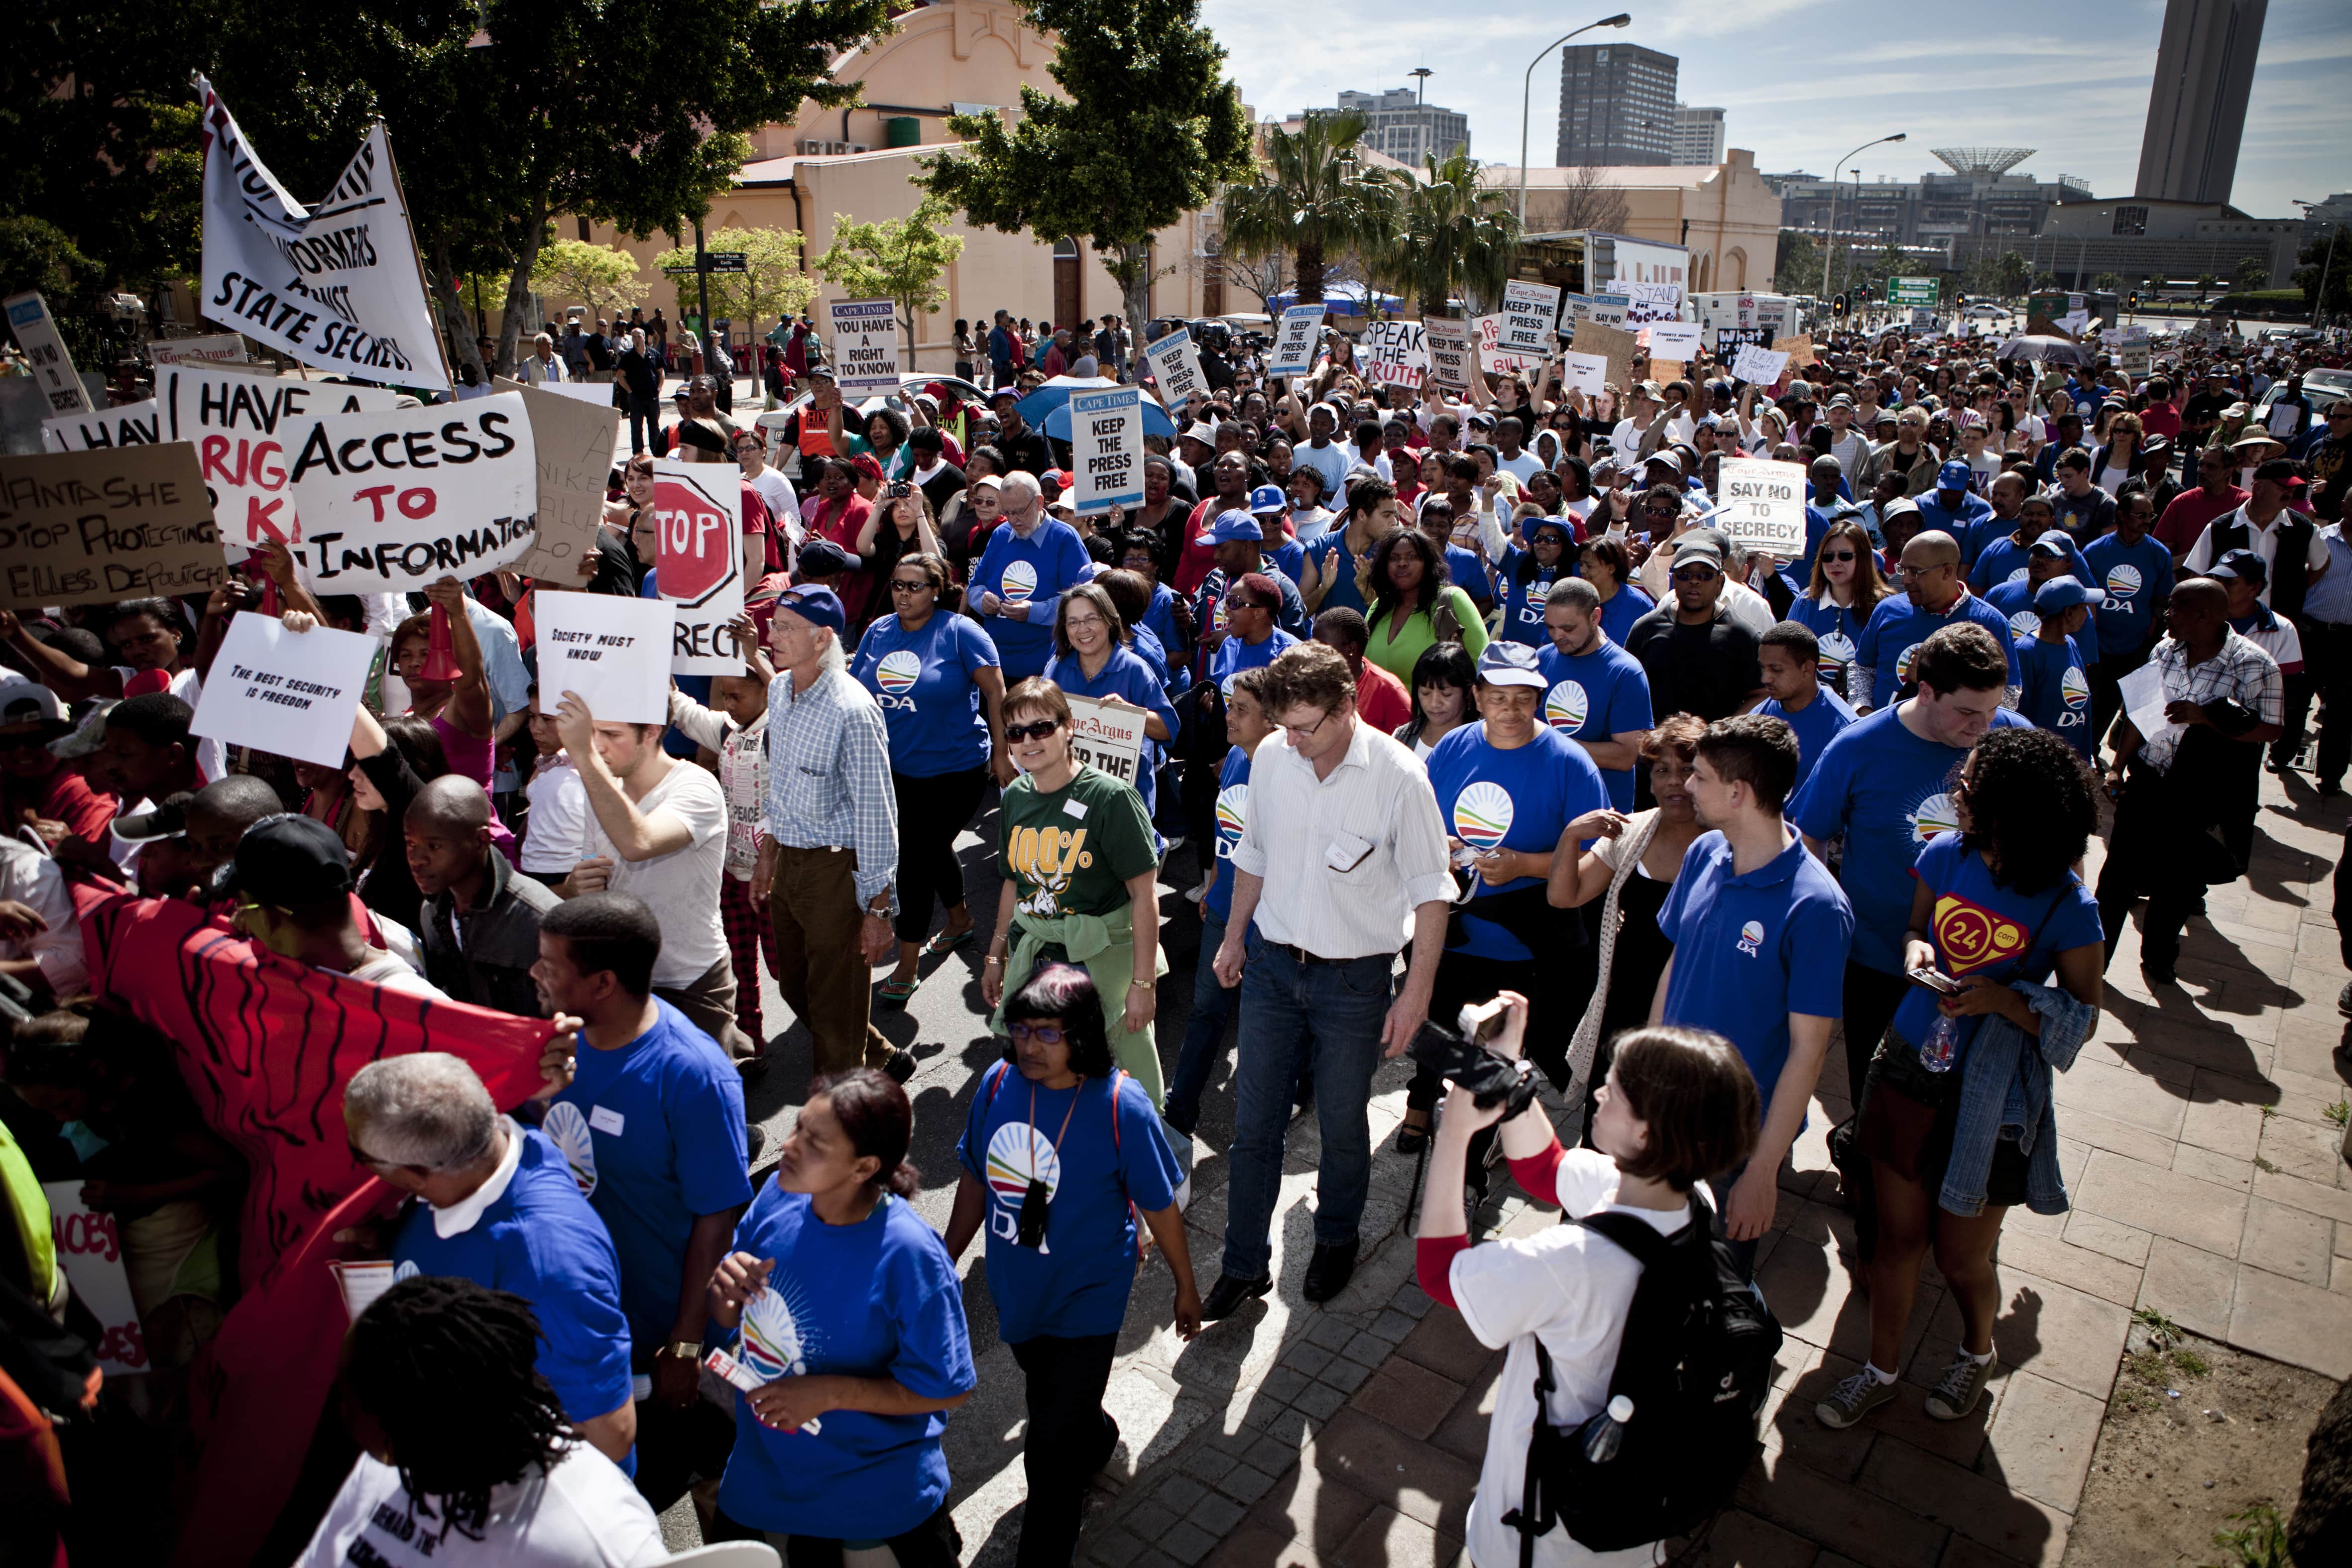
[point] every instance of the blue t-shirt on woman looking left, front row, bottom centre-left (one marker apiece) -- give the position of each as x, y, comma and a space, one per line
876, 1299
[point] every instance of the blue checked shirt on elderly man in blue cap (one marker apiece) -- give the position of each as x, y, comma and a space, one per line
829, 779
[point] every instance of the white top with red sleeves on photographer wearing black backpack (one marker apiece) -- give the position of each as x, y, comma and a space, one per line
1570, 1287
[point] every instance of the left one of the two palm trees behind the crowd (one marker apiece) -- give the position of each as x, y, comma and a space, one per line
1309, 199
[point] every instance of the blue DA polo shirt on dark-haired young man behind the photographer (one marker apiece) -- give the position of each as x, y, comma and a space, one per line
1751, 951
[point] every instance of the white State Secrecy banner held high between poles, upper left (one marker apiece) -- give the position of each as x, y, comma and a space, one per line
333, 286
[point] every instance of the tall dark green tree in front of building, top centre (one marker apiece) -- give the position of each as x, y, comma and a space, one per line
1149, 133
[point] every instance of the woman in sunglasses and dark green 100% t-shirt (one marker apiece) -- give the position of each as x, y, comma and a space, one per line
1081, 880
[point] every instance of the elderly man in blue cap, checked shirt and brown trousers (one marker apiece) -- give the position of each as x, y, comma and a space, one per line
829, 850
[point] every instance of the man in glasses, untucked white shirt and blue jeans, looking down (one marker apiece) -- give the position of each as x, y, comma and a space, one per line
1344, 845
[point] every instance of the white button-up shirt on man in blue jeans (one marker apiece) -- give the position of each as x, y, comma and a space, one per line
1375, 810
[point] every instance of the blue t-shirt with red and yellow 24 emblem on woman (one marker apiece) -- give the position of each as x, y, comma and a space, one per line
1986, 930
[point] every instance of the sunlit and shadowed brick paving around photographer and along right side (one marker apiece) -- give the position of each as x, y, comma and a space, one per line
2207, 1186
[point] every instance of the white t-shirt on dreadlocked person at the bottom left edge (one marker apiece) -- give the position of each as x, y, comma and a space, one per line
582, 1515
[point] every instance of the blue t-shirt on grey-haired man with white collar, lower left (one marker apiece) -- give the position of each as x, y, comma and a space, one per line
547, 1245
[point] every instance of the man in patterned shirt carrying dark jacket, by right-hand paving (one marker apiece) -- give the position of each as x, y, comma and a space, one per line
2186, 798
